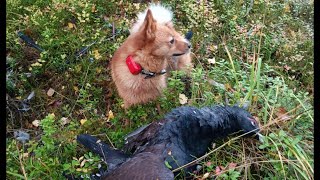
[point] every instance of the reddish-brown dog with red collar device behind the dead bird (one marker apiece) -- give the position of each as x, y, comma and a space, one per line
138, 66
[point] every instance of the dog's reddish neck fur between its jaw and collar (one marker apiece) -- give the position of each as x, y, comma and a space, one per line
150, 62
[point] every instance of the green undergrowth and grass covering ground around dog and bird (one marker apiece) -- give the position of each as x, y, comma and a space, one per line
263, 56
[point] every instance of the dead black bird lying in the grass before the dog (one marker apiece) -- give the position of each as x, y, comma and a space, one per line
185, 133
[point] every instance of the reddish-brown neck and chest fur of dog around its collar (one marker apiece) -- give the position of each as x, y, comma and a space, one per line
135, 89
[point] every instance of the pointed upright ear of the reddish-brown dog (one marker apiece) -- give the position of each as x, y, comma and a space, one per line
149, 26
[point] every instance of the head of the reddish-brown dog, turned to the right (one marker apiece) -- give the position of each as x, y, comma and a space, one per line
162, 40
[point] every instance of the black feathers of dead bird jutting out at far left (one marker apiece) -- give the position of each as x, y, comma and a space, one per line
111, 156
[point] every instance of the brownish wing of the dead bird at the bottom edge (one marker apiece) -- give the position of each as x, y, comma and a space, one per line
143, 166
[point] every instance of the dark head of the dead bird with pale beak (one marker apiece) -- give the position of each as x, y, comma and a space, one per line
247, 123
